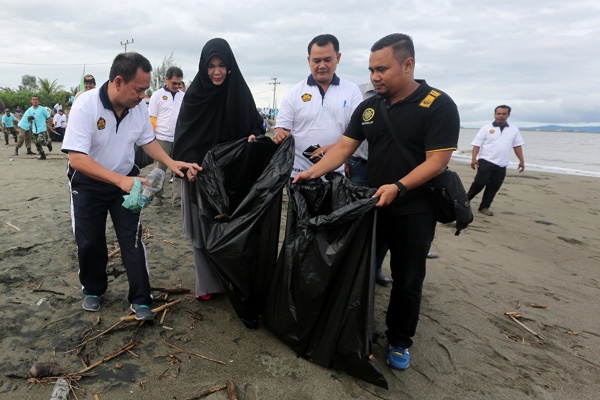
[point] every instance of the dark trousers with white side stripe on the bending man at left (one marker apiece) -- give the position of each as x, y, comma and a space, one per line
91, 201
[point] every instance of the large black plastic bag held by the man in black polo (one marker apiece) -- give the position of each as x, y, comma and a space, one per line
322, 297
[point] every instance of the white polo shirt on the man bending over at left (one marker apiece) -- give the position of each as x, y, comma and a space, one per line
94, 130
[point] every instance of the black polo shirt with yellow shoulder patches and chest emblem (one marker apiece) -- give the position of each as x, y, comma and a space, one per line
427, 120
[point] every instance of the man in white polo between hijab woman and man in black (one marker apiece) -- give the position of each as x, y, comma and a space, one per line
317, 110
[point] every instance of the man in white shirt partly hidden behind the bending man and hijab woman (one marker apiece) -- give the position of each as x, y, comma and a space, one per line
164, 109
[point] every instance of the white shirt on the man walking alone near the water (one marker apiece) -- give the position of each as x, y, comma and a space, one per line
495, 144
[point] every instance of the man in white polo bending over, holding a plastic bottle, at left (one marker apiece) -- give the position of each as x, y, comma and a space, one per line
104, 126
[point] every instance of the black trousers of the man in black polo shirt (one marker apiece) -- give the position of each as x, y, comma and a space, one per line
409, 238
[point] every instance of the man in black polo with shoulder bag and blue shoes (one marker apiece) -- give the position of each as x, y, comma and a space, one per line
426, 122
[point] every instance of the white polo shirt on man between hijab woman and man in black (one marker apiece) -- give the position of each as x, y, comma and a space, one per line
314, 118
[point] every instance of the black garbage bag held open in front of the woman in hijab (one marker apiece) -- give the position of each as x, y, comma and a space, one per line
239, 201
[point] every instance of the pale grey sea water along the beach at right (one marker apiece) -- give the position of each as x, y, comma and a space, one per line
573, 153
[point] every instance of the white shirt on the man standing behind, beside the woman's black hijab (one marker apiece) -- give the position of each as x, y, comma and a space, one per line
164, 105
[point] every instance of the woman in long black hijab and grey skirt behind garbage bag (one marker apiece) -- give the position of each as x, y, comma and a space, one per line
218, 107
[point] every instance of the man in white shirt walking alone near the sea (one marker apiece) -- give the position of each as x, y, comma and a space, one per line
491, 148
